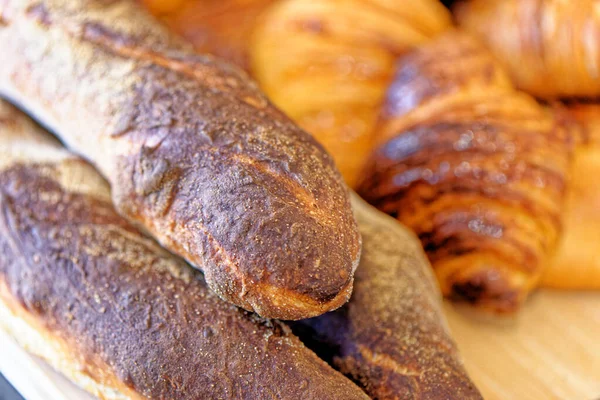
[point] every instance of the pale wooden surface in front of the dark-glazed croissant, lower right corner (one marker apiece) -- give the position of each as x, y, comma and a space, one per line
551, 350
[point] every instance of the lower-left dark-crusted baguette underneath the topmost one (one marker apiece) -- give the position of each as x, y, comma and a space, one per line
106, 306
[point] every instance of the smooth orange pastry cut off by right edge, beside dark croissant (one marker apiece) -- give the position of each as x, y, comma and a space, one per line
577, 261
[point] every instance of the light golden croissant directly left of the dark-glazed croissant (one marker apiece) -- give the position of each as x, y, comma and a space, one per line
327, 64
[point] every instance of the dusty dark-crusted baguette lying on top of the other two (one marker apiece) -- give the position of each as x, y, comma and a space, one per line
193, 151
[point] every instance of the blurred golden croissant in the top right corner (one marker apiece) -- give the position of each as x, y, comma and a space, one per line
550, 47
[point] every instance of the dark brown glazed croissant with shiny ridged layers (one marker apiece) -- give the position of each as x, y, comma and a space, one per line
474, 167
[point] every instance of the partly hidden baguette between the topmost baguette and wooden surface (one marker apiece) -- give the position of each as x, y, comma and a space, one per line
391, 338
